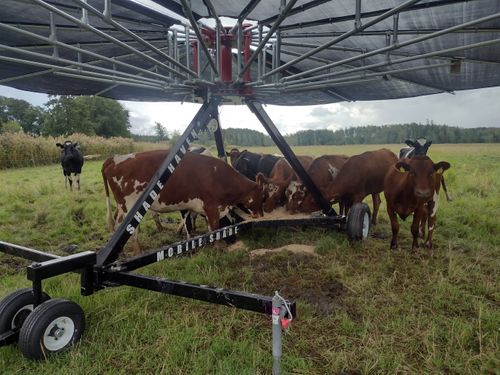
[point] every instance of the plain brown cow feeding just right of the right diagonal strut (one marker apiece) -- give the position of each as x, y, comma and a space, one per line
360, 176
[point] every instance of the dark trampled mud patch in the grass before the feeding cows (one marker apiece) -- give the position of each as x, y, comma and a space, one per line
299, 277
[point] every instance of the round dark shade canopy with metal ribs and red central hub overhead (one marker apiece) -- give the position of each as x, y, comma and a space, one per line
294, 52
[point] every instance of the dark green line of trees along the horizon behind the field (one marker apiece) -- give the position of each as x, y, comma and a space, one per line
91, 115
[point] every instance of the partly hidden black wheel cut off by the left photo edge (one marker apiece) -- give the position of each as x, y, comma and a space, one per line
15, 308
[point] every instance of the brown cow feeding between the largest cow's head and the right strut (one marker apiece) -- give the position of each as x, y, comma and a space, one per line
275, 185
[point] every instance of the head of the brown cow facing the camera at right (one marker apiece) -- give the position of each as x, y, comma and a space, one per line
421, 173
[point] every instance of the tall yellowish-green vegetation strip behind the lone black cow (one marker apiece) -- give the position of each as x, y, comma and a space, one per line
22, 150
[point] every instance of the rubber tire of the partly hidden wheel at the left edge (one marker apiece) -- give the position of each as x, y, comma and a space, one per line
11, 304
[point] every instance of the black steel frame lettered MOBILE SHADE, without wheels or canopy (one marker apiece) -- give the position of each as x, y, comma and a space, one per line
102, 269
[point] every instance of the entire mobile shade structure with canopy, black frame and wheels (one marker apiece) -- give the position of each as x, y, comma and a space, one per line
250, 52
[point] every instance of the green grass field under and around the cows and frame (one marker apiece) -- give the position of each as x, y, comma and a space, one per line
362, 310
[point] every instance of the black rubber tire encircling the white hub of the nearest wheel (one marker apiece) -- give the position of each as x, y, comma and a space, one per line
33, 329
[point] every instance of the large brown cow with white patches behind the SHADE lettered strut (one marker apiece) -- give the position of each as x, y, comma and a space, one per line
200, 184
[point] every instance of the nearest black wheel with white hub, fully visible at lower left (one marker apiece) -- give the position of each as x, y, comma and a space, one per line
52, 327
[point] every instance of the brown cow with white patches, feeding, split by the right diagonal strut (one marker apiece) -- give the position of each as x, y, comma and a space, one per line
323, 171
